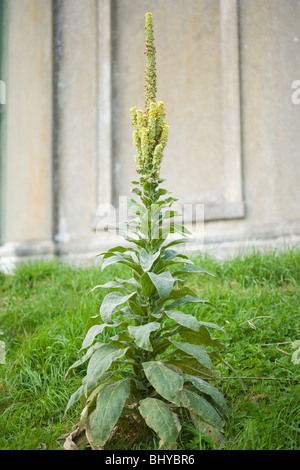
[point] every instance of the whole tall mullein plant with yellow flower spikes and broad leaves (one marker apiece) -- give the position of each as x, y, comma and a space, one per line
155, 364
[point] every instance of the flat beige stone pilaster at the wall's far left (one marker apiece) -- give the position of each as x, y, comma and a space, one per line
28, 159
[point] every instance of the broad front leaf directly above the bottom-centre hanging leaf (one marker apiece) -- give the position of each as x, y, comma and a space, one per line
166, 382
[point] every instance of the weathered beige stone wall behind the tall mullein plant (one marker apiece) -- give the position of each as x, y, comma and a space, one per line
225, 72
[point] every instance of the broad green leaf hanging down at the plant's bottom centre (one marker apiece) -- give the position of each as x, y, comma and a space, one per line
160, 418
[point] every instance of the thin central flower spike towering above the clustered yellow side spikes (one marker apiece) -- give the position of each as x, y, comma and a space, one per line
150, 86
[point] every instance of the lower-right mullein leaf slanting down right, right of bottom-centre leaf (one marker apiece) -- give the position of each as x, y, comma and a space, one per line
198, 405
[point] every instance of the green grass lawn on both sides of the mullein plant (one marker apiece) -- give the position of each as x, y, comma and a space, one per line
43, 310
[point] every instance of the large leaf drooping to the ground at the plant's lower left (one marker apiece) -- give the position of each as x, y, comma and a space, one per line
109, 406
